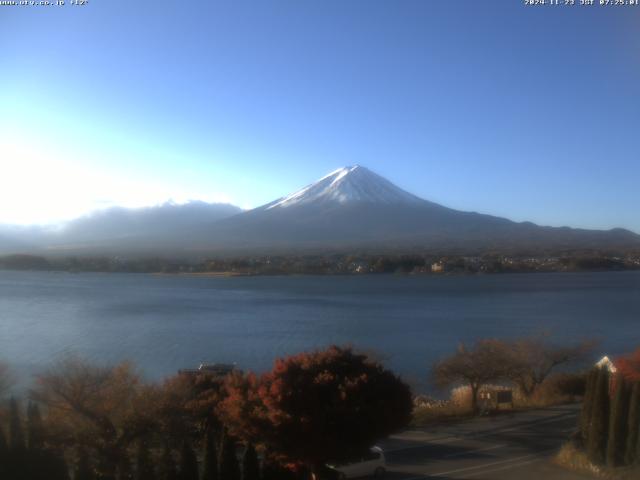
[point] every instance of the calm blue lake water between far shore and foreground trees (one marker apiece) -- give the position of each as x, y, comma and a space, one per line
164, 323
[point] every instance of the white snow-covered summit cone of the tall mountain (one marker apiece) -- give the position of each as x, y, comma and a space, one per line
353, 184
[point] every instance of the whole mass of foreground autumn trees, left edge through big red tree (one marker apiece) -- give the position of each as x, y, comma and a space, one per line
90, 422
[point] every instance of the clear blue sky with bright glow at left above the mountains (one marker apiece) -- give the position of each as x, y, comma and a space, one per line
532, 113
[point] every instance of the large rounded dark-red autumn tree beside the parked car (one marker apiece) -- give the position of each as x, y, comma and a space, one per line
312, 408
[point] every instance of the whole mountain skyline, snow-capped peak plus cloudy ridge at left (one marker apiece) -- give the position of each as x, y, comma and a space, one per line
350, 208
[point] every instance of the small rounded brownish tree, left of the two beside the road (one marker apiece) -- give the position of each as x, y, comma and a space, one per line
483, 363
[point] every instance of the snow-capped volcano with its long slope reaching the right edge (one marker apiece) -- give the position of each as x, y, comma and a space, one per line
353, 207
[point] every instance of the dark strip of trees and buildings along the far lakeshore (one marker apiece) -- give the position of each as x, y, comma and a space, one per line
336, 264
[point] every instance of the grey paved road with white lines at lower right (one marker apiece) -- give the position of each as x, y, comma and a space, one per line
505, 447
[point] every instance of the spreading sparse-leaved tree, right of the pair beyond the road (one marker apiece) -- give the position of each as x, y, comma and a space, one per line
530, 361
